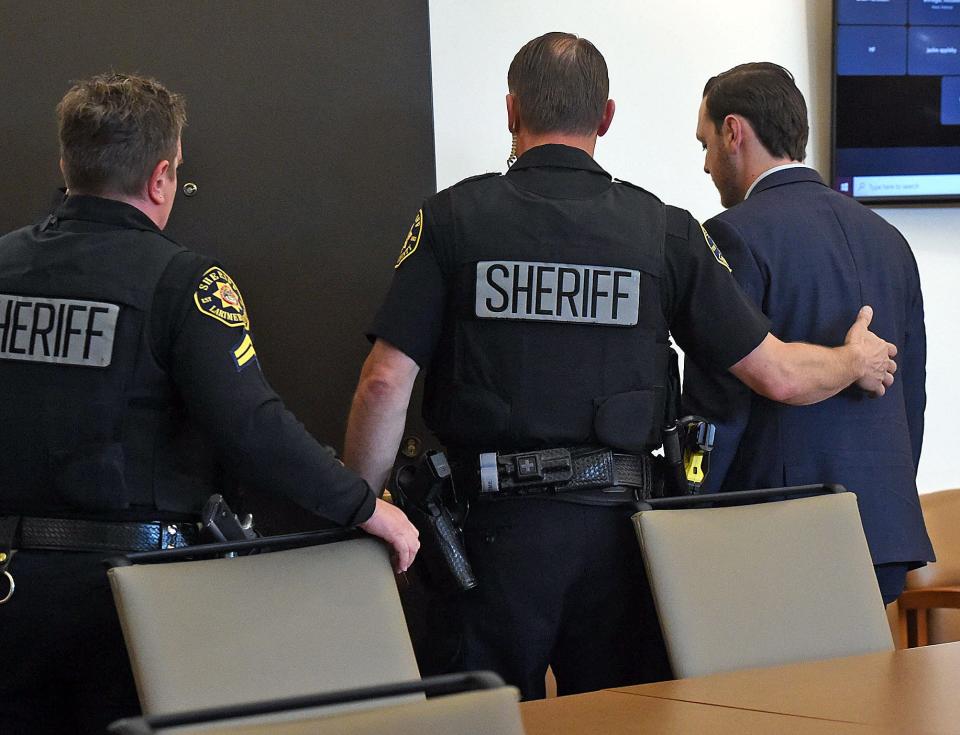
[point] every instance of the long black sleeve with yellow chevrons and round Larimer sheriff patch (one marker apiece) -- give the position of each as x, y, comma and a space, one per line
207, 347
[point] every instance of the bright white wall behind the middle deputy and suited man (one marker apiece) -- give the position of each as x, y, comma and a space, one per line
660, 53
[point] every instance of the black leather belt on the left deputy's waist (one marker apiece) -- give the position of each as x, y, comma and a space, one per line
80, 535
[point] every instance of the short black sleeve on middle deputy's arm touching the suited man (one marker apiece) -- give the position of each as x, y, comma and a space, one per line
710, 316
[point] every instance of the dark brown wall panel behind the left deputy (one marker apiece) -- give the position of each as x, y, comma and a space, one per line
310, 139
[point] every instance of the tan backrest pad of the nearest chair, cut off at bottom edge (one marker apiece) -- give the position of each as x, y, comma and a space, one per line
483, 712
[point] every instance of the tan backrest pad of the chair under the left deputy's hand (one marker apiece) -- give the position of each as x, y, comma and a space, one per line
225, 631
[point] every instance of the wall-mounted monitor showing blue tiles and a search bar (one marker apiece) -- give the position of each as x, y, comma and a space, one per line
896, 100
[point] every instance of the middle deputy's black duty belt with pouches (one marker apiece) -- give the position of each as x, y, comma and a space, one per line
564, 470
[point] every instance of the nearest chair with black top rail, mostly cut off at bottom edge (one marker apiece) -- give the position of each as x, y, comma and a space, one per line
476, 703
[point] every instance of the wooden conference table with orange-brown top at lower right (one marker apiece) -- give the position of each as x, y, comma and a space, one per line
915, 691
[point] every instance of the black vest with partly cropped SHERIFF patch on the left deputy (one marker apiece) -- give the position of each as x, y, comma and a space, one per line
91, 424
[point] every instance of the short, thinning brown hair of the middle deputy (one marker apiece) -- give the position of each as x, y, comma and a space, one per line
560, 84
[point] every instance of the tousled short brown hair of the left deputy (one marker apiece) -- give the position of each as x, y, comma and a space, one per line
114, 129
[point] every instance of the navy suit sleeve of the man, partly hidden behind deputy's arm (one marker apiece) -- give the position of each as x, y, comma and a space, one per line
714, 394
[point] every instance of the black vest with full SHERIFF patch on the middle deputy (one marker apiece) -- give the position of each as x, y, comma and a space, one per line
557, 335
